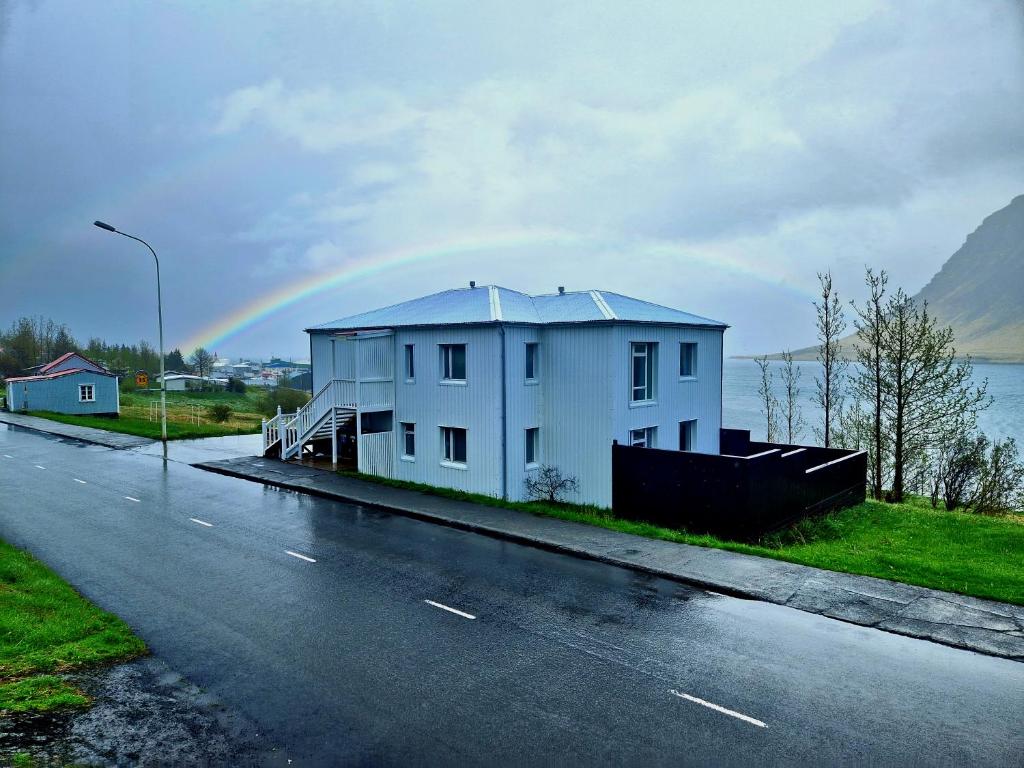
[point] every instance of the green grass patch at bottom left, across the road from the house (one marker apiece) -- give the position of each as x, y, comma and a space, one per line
48, 629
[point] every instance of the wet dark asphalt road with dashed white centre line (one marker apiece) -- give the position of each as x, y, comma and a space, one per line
354, 636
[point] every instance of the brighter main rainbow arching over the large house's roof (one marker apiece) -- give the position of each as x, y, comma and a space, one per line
253, 314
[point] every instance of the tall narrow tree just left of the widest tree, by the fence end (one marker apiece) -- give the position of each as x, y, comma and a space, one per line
868, 382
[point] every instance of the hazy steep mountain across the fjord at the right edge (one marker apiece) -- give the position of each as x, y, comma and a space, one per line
979, 291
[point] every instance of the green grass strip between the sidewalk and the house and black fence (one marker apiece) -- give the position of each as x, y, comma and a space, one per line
910, 543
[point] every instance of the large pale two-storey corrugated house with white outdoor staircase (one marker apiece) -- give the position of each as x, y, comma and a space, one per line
477, 389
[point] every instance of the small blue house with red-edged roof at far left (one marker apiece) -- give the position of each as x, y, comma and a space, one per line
71, 385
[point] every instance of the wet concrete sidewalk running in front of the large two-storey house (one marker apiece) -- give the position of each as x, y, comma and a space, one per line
984, 626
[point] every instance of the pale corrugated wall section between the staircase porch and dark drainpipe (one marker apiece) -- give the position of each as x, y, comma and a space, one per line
431, 405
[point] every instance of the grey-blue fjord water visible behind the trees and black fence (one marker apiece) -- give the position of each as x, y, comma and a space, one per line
742, 407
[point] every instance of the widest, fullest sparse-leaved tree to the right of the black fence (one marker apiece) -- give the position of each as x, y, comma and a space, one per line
928, 397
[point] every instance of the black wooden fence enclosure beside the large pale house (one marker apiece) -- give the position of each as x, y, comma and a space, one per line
750, 489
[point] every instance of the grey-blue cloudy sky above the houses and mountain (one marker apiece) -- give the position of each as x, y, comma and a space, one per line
294, 163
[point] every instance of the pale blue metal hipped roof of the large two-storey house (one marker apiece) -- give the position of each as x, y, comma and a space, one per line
496, 305
